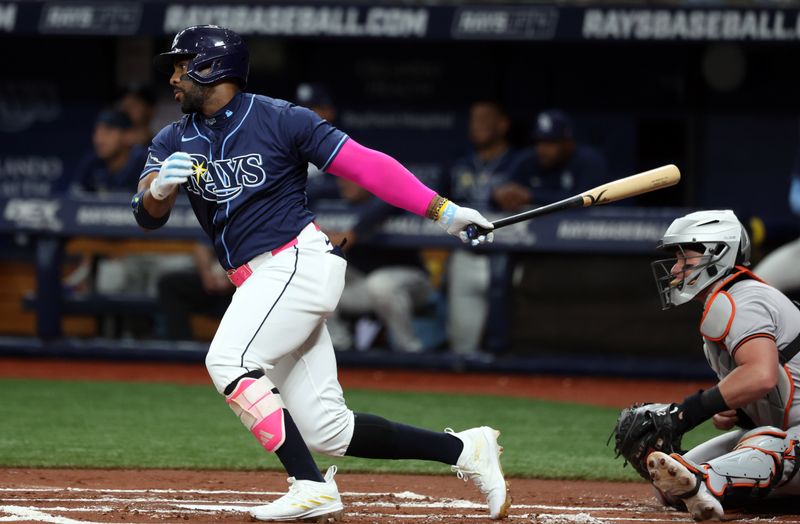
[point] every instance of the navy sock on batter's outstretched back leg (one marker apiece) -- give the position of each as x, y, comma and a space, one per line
376, 437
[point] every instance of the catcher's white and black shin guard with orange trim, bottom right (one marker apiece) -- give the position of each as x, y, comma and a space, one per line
755, 467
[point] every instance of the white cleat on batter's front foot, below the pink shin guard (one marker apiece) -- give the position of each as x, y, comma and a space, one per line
306, 501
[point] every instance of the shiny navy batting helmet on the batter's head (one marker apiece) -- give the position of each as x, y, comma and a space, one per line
214, 52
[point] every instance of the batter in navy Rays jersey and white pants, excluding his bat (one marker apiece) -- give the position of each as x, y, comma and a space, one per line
242, 160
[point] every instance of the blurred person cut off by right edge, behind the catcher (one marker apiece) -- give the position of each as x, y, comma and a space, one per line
781, 268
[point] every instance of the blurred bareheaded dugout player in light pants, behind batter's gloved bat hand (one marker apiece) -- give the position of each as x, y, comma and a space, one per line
484, 179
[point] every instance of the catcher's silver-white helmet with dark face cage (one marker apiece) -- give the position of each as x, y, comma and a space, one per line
722, 242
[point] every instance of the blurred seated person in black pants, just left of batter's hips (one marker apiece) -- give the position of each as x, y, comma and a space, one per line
201, 289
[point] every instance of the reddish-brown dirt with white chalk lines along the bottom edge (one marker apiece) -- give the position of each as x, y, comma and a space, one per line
70, 496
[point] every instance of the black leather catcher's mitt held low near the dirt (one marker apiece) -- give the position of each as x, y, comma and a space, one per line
644, 428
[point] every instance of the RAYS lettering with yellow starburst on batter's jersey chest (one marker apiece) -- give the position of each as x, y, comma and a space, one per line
224, 180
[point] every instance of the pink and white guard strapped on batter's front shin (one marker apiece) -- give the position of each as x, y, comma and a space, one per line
260, 410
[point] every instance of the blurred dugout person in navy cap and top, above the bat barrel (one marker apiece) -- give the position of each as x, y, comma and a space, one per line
557, 166
